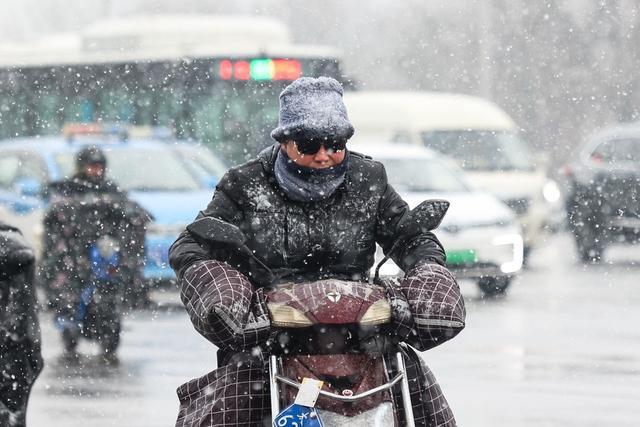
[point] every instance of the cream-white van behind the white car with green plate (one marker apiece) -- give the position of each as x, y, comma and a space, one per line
476, 133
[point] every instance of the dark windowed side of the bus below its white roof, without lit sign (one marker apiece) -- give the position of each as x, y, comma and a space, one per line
187, 98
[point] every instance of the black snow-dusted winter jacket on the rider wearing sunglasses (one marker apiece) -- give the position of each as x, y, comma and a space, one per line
335, 237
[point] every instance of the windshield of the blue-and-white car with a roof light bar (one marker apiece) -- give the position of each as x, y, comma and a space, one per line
160, 170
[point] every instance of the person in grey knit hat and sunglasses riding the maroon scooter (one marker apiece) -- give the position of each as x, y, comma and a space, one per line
310, 210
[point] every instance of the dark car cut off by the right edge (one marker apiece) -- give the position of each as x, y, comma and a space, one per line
603, 191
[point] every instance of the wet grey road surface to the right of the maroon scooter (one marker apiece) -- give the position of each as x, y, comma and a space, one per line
562, 349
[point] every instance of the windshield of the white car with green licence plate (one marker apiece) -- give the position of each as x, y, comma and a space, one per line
422, 175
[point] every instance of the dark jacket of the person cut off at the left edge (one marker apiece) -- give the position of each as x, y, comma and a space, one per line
20, 359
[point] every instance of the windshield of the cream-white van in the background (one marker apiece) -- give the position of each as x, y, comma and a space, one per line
482, 150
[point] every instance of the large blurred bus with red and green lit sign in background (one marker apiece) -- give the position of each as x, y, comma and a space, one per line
211, 78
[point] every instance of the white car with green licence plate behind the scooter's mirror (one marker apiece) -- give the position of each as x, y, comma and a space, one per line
481, 235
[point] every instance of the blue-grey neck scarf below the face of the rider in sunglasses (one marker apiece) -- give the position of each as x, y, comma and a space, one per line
304, 184
